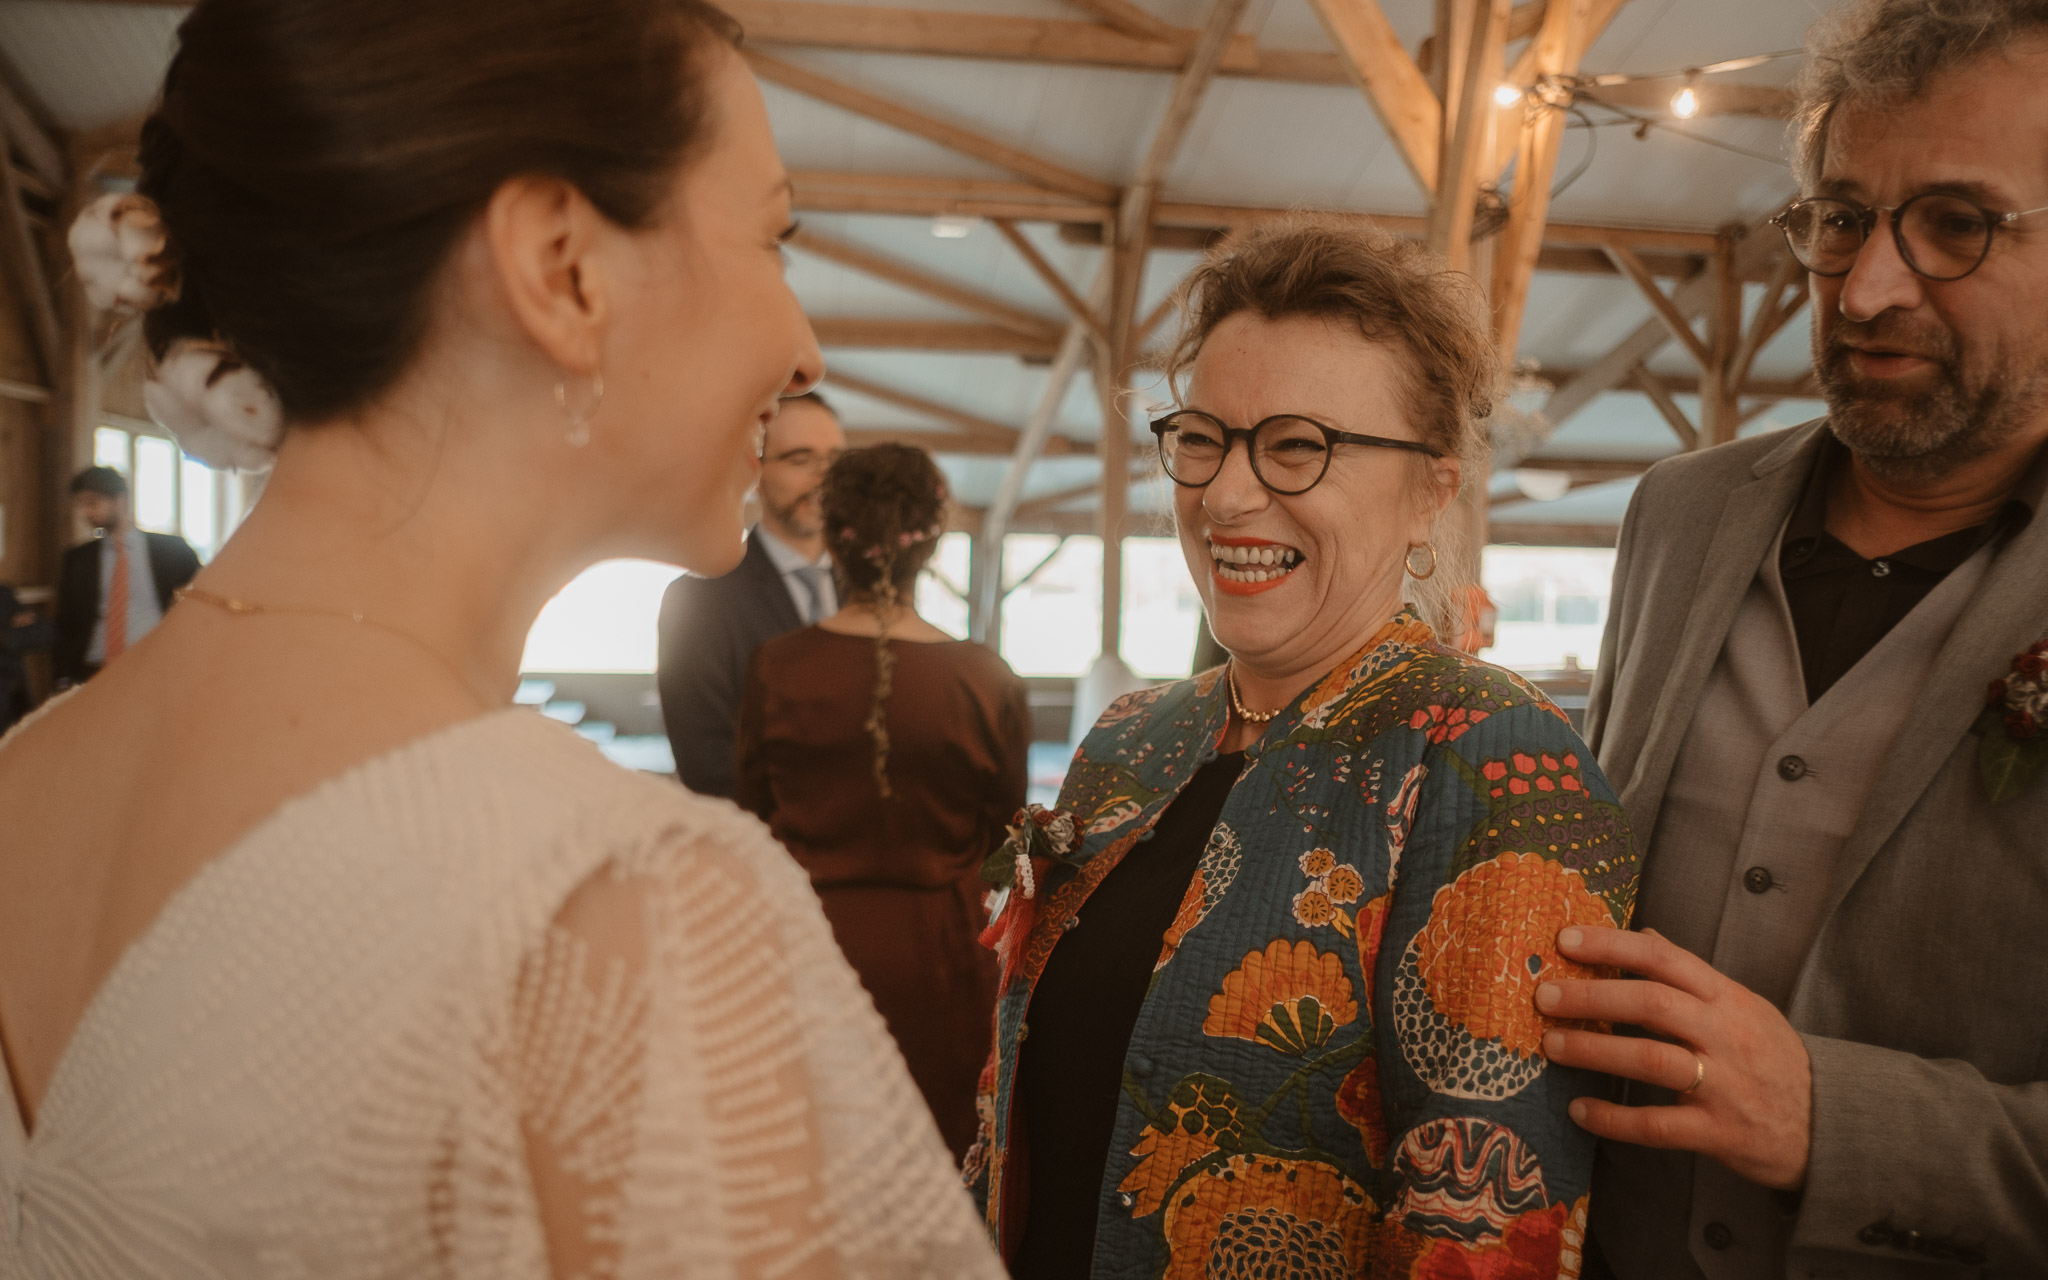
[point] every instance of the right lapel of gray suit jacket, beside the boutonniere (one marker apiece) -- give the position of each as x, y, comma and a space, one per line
2006, 615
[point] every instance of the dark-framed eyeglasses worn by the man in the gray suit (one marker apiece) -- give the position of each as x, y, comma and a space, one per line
1940, 237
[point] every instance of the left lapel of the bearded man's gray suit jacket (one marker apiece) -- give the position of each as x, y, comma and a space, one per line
1750, 519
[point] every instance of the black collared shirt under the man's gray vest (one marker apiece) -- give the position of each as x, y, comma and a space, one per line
1842, 603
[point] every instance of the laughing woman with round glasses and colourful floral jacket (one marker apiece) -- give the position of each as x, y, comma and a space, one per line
1269, 1011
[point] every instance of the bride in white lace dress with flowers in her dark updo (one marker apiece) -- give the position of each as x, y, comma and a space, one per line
316, 955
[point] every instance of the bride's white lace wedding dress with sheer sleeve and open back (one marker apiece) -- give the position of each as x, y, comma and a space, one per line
478, 966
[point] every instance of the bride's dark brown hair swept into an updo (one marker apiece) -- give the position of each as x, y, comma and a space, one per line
318, 161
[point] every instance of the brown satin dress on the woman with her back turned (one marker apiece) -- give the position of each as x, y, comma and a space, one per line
900, 878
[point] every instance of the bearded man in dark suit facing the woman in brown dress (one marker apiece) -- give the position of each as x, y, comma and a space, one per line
712, 626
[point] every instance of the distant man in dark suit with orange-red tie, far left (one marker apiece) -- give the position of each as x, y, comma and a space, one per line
116, 589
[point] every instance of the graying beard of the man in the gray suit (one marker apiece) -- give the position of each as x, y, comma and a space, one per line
1918, 435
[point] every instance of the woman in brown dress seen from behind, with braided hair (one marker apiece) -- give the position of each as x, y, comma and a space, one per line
890, 761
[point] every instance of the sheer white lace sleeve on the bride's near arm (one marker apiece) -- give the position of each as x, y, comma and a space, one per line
706, 1091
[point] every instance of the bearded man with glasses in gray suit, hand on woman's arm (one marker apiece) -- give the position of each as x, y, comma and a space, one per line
1842, 966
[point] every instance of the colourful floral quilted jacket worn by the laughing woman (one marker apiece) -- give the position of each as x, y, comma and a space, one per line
1336, 1070
